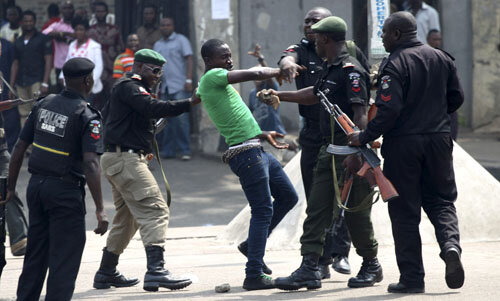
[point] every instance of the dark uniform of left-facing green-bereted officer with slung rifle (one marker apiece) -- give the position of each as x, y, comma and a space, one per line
344, 83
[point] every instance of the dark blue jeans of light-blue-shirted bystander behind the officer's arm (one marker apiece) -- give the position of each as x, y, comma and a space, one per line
175, 136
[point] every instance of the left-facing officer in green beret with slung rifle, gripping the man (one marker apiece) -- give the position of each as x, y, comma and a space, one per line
343, 80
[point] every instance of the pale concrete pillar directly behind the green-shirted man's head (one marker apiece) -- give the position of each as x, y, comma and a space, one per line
205, 28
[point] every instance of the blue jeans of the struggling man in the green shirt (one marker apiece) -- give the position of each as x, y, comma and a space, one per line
261, 176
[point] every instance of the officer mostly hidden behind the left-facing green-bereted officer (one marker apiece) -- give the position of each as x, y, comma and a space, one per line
338, 243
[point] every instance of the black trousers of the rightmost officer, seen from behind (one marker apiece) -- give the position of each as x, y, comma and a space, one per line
421, 169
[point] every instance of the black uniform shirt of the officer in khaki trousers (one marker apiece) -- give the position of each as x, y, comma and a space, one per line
129, 115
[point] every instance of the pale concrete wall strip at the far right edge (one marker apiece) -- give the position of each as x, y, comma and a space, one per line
486, 72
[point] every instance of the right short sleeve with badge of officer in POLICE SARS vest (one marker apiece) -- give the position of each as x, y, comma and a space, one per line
92, 134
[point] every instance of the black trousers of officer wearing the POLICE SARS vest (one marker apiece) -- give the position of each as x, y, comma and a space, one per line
56, 237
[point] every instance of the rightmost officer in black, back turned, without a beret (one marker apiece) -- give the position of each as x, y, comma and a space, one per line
418, 88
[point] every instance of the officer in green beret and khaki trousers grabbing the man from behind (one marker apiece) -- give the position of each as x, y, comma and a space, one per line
128, 137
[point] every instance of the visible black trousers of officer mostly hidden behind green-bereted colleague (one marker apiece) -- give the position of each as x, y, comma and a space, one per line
338, 241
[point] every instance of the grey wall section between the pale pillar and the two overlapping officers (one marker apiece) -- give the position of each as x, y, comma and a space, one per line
275, 25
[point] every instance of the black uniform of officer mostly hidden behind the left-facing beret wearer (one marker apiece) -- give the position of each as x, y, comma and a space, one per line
310, 138
